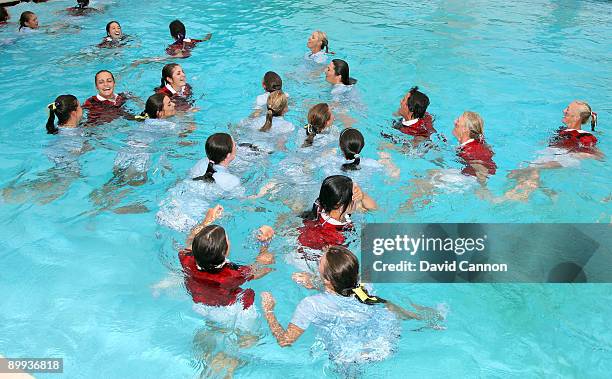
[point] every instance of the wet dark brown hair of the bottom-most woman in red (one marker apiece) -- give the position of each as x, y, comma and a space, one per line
209, 248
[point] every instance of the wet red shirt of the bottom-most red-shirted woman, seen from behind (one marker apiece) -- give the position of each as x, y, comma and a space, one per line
221, 288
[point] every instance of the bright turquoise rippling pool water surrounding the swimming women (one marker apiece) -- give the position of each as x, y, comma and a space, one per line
77, 277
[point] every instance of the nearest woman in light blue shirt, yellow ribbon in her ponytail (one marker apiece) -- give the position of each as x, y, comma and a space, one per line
354, 326
